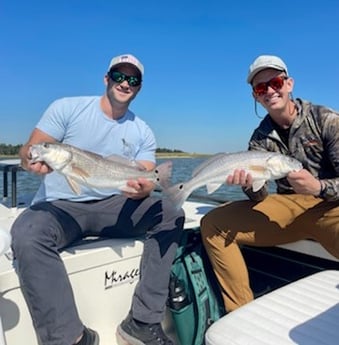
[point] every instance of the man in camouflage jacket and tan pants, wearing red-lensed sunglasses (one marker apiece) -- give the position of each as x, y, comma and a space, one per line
306, 205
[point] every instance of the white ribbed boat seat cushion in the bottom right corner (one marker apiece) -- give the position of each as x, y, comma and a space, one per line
305, 312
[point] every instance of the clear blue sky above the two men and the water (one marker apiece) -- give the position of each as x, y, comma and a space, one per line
196, 55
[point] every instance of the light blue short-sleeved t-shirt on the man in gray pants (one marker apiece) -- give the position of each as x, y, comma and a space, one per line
79, 121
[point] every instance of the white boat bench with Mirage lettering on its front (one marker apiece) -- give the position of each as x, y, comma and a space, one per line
103, 274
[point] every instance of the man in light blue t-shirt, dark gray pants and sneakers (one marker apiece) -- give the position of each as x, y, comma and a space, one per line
58, 217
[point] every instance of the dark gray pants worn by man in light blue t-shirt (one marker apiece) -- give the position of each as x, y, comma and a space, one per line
43, 230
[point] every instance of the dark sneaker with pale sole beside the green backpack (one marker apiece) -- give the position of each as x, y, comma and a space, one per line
133, 332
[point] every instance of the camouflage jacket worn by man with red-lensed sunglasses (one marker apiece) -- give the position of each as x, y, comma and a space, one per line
313, 140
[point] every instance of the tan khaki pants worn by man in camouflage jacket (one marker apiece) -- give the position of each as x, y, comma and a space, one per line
278, 219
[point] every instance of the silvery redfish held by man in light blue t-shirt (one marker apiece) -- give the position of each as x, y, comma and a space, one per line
81, 167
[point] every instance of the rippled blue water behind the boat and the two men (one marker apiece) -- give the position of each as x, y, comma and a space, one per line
182, 169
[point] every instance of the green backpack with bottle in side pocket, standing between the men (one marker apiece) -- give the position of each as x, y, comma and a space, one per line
194, 296
